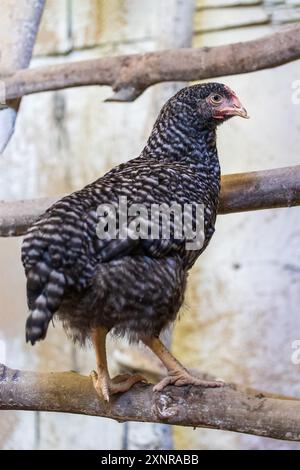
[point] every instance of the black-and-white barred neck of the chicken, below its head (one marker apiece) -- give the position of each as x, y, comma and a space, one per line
185, 142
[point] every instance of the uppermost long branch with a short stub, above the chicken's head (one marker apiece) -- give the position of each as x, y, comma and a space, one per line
130, 75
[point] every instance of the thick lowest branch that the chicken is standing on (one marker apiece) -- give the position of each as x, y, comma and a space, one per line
227, 408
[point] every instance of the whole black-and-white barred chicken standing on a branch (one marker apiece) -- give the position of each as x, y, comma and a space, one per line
131, 285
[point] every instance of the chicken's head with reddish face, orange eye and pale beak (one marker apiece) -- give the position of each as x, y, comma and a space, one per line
208, 104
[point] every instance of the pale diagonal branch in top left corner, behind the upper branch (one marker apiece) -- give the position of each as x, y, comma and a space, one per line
18, 28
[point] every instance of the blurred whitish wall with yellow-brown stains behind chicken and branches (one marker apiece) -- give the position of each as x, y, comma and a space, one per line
241, 314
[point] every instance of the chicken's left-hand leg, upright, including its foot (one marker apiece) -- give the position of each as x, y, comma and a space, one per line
104, 385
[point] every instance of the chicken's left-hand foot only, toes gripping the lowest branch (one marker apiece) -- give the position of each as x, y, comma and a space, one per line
105, 386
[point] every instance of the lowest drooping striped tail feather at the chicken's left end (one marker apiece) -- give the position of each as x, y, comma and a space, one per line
38, 321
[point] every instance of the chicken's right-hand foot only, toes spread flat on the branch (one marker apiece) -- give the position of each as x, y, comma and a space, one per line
183, 377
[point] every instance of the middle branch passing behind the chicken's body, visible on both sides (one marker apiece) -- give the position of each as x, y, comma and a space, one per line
240, 192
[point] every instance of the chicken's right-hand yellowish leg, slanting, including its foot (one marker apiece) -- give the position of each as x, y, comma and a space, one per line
177, 374
